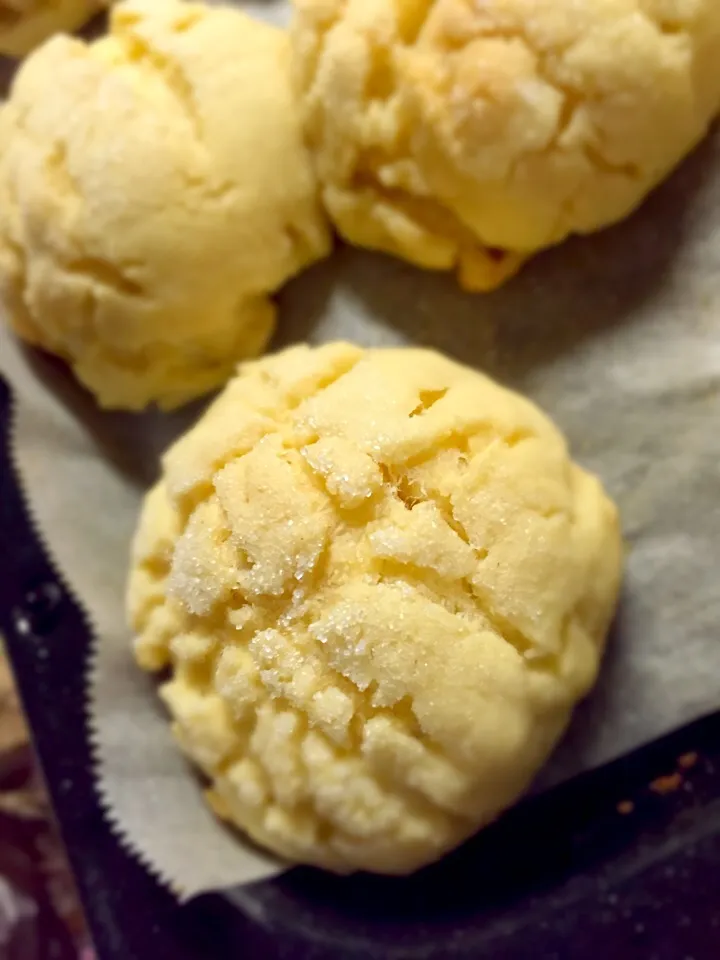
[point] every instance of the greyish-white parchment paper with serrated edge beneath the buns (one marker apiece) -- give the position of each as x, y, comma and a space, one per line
616, 336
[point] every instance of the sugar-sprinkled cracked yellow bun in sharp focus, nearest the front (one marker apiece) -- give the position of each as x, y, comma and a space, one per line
380, 585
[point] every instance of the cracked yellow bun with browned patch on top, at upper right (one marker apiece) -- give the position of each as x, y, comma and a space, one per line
445, 131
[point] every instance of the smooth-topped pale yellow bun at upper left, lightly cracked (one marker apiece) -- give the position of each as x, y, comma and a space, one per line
154, 190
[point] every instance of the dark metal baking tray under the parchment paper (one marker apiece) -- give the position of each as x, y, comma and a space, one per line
616, 862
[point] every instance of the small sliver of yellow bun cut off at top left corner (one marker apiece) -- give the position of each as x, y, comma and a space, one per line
26, 23
